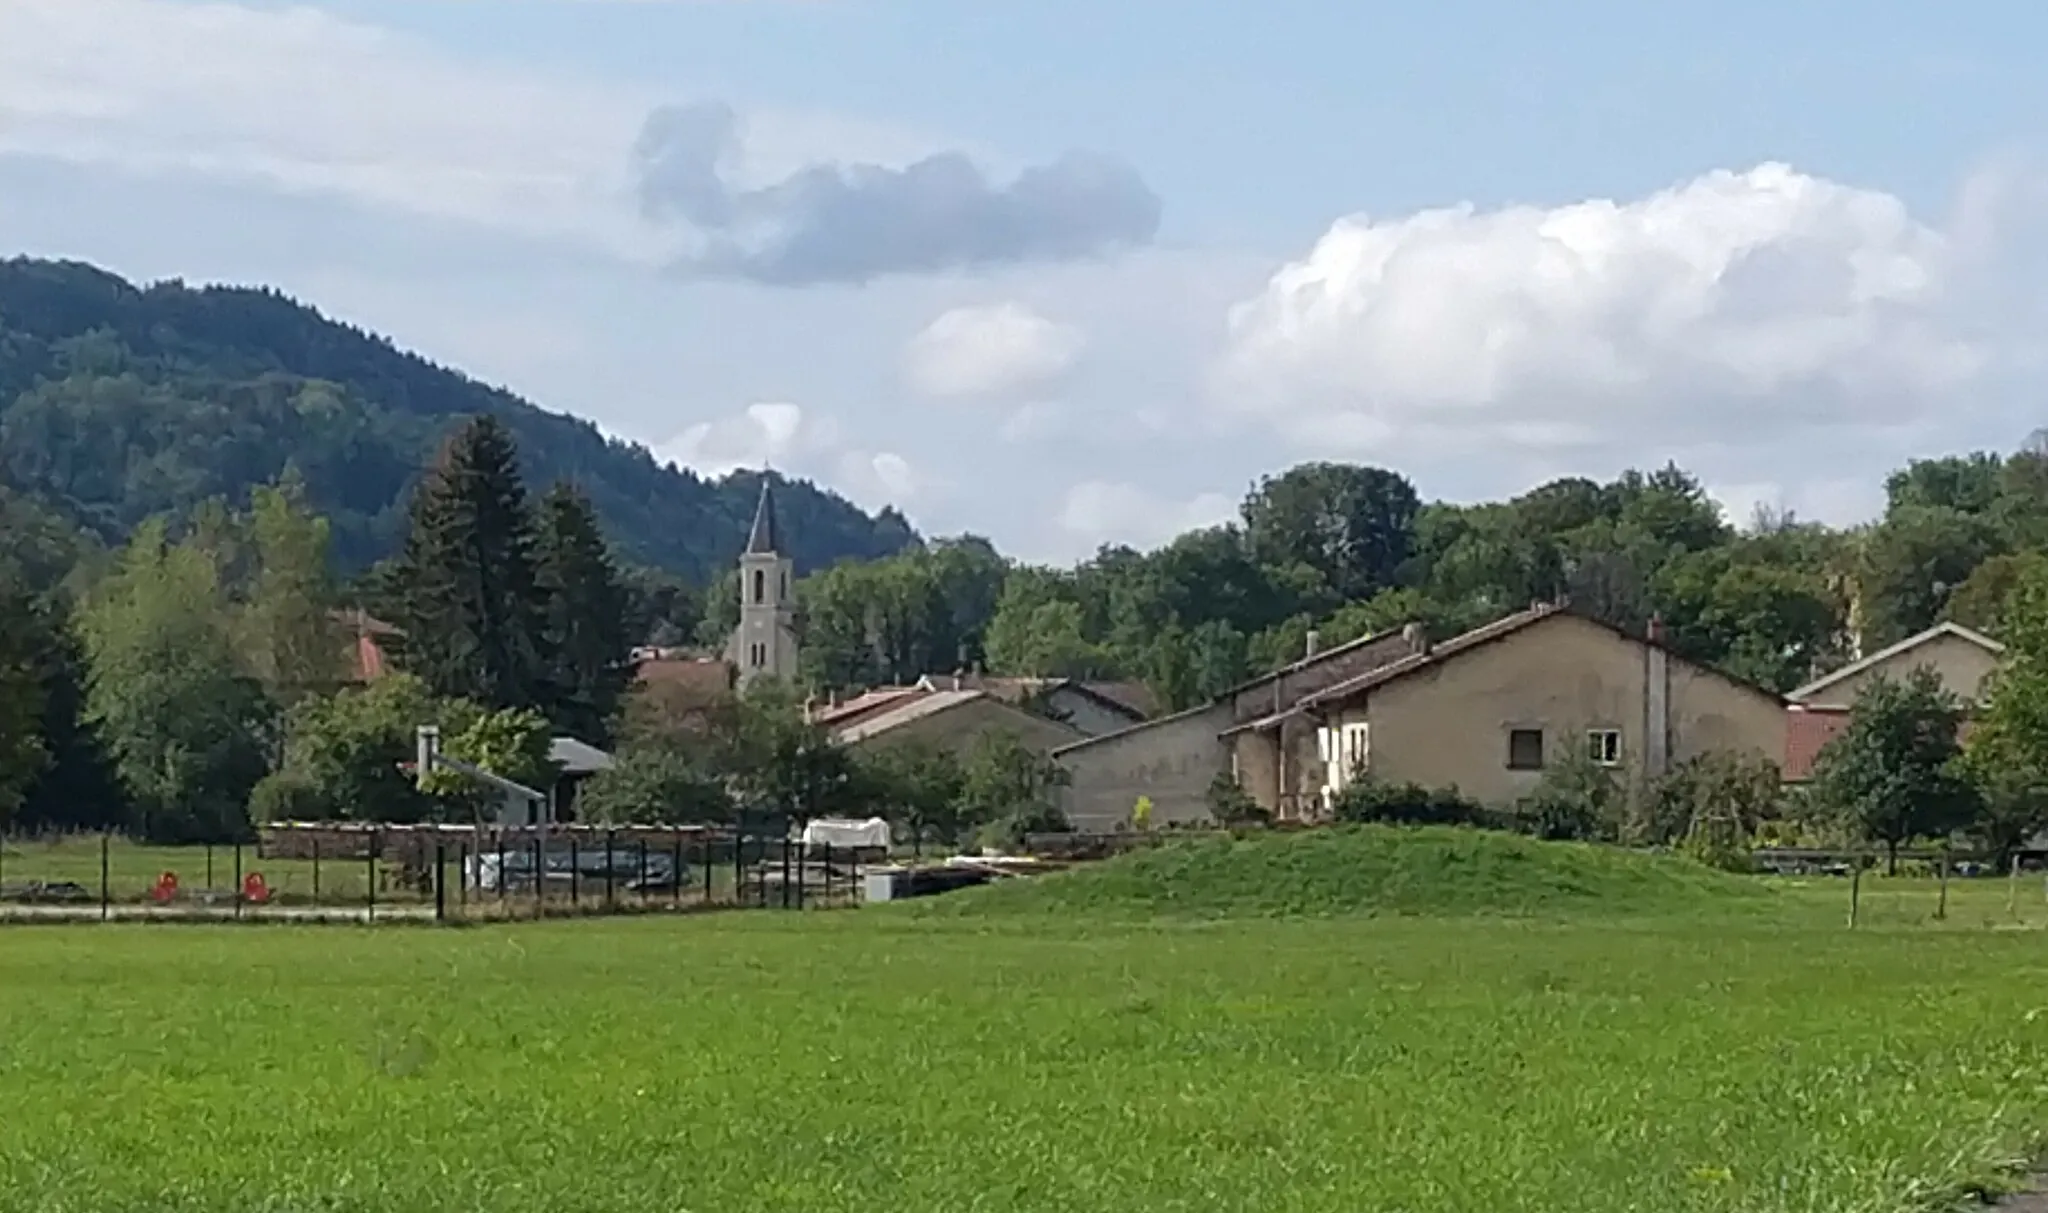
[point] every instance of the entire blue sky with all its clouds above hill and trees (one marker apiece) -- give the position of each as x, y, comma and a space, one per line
1484, 243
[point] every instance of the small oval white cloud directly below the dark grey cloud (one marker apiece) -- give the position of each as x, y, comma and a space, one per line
992, 349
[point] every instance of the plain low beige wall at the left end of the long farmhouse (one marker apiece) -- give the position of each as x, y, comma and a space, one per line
1172, 761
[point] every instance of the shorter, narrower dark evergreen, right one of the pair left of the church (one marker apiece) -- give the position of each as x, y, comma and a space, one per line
589, 610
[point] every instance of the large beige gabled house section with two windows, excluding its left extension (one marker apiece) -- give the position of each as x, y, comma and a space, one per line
1488, 712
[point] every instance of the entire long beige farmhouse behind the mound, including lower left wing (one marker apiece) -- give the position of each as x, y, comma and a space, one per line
1484, 712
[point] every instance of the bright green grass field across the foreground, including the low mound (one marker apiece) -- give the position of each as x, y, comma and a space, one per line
1711, 1048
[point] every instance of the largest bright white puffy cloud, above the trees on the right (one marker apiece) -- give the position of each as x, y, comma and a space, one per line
1734, 308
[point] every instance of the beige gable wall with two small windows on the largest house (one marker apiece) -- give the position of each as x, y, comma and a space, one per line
1449, 724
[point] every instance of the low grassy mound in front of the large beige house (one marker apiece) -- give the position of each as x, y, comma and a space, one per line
1371, 870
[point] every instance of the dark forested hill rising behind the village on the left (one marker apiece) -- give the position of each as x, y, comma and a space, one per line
122, 403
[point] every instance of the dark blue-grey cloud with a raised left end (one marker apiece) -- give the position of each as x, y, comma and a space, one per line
861, 222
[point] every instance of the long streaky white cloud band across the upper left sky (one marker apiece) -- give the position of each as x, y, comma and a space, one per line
308, 101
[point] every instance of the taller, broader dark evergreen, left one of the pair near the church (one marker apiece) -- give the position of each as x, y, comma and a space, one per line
466, 589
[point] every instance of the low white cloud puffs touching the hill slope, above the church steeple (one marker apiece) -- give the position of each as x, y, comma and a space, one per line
785, 437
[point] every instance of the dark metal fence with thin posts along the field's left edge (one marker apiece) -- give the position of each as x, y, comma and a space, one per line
425, 874
